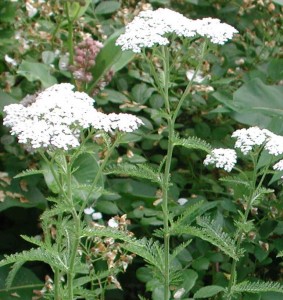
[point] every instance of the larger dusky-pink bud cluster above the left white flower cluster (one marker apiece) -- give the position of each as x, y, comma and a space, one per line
85, 55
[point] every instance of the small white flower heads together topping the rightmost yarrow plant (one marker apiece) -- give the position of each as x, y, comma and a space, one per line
247, 140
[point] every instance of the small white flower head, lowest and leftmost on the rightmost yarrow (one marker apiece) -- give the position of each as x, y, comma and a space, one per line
222, 158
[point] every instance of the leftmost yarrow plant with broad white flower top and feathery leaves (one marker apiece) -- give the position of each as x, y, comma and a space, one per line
60, 124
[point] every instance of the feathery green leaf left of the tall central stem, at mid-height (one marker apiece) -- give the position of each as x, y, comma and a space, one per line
139, 171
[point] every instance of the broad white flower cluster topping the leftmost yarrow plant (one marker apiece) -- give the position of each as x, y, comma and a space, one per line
57, 116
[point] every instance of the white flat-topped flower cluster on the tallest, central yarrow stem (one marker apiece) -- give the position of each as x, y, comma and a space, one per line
151, 28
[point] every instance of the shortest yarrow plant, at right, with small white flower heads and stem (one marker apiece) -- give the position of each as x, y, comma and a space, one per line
254, 143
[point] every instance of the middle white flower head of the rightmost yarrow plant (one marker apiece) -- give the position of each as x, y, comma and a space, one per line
246, 139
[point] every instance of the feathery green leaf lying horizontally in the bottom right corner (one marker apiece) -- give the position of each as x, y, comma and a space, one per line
258, 287
